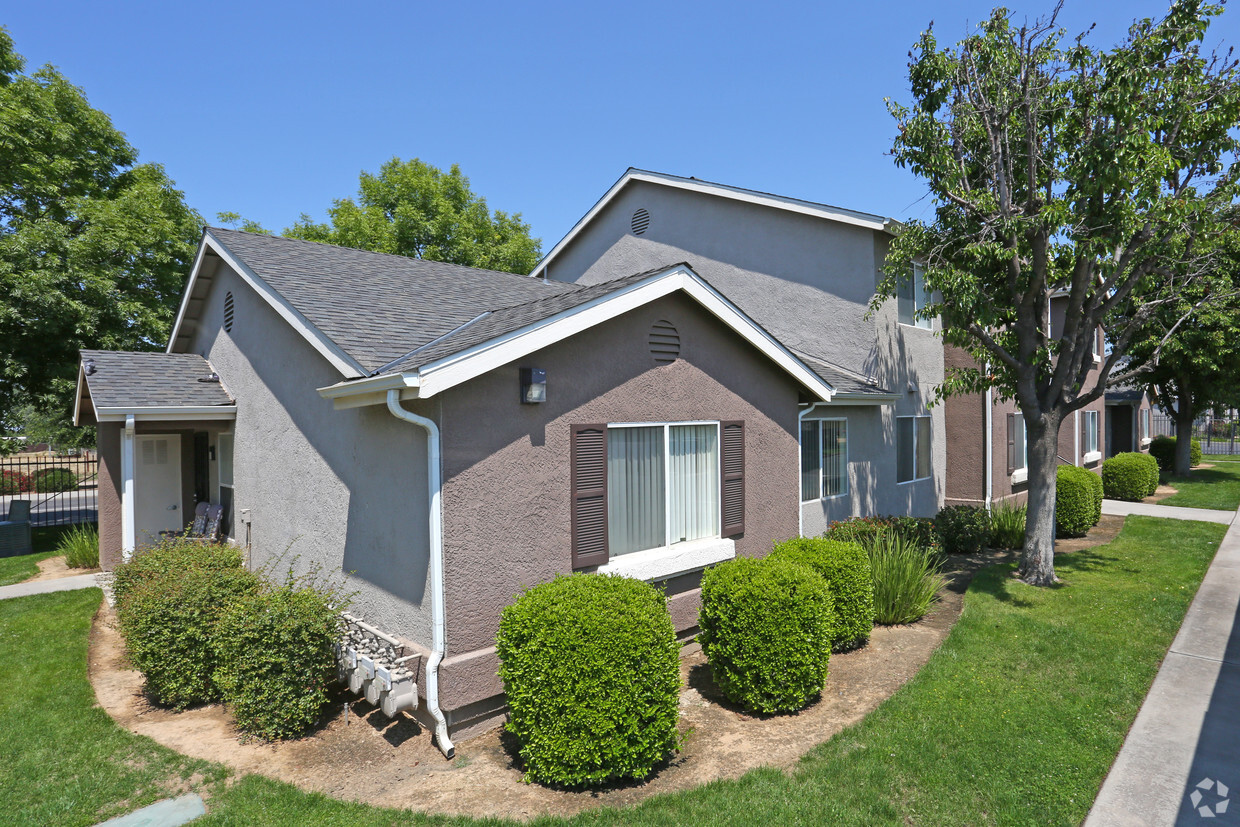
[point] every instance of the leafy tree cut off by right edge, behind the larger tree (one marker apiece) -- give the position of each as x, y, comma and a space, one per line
1193, 365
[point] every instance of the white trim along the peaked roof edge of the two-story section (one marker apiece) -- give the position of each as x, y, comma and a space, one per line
726, 192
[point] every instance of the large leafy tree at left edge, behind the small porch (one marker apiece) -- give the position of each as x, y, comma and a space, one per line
95, 247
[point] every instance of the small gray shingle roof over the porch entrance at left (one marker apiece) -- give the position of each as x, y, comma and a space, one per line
144, 380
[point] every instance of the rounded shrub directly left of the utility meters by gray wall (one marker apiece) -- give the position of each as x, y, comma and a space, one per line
276, 661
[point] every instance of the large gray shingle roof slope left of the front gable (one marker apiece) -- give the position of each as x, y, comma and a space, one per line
376, 307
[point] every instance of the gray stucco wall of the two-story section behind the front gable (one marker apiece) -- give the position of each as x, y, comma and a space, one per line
807, 281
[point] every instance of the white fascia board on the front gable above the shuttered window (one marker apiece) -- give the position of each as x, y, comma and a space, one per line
484, 358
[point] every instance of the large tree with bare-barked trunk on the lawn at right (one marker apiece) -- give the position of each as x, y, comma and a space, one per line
1057, 169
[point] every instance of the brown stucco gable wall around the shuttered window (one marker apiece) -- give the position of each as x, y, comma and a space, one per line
507, 466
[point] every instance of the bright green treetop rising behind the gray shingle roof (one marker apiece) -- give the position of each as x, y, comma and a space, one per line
414, 209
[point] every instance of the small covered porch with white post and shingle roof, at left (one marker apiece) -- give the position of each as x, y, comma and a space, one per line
164, 428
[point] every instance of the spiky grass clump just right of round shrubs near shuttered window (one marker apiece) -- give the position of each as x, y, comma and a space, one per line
907, 581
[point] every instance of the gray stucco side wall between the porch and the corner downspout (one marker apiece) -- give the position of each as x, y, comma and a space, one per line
343, 490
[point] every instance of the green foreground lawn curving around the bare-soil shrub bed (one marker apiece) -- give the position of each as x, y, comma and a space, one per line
1015, 721
